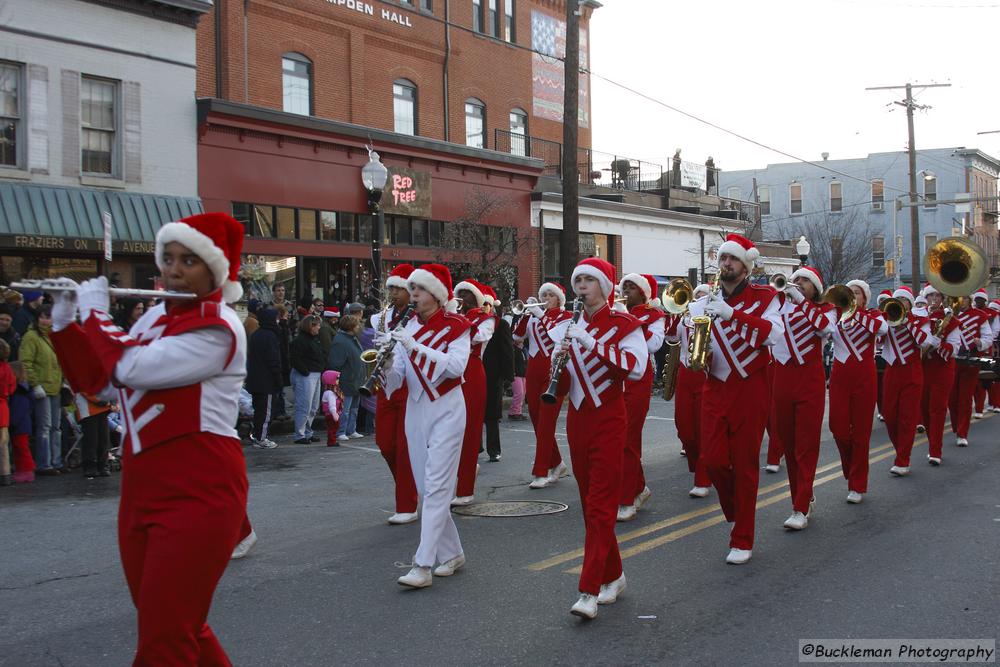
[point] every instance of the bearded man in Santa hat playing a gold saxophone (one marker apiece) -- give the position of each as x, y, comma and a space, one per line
737, 400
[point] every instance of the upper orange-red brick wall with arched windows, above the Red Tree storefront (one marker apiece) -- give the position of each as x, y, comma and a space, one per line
357, 56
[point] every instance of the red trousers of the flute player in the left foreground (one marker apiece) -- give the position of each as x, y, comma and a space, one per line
182, 505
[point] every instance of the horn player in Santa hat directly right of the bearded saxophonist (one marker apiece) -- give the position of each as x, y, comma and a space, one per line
799, 397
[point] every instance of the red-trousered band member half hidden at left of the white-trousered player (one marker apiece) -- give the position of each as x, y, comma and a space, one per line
390, 404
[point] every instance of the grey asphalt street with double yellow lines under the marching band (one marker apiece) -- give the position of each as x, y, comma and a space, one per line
918, 559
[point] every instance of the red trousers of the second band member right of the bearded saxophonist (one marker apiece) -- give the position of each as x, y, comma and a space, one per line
852, 407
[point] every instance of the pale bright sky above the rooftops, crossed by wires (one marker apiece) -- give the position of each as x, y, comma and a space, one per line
792, 76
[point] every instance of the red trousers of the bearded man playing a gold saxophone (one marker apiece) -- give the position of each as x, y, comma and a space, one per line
733, 416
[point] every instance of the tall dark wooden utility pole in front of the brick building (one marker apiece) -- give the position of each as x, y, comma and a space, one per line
569, 241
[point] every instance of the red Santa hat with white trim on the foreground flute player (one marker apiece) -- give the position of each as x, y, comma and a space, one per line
217, 239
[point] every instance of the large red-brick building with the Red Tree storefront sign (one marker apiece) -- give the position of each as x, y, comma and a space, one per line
459, 93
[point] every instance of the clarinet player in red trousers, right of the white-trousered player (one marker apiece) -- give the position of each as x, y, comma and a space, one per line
605, 348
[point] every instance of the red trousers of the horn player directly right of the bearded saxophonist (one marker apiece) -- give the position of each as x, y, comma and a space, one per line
798, 402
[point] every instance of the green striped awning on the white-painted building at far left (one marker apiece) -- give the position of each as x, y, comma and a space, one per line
48, 210
